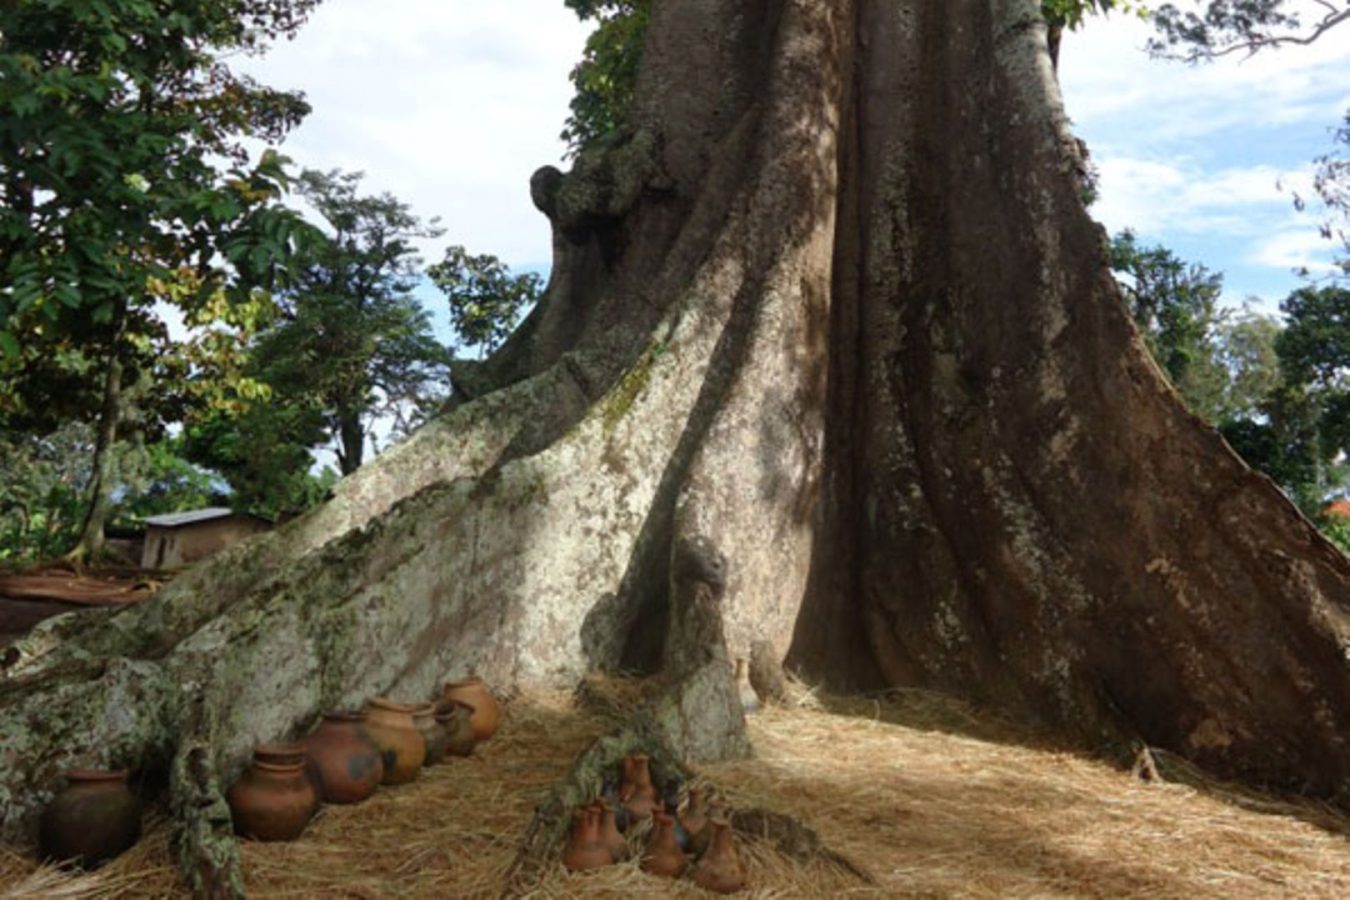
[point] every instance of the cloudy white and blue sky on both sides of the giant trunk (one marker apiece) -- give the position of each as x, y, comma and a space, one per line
452, 105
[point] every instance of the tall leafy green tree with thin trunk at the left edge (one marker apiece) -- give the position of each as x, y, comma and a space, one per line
114, 119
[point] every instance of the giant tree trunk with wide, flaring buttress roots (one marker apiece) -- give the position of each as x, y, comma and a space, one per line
831, 360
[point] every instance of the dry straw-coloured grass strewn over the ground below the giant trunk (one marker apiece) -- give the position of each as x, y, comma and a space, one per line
932, 799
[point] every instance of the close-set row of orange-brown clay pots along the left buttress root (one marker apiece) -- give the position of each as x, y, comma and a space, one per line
350, 755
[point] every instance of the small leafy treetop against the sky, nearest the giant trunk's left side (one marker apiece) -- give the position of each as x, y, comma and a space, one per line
487, 300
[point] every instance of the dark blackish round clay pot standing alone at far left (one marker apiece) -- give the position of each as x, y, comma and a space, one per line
91, 821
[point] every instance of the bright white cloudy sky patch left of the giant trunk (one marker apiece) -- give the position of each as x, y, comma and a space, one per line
449, 105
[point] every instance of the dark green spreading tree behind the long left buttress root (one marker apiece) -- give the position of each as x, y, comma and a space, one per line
353, 342
